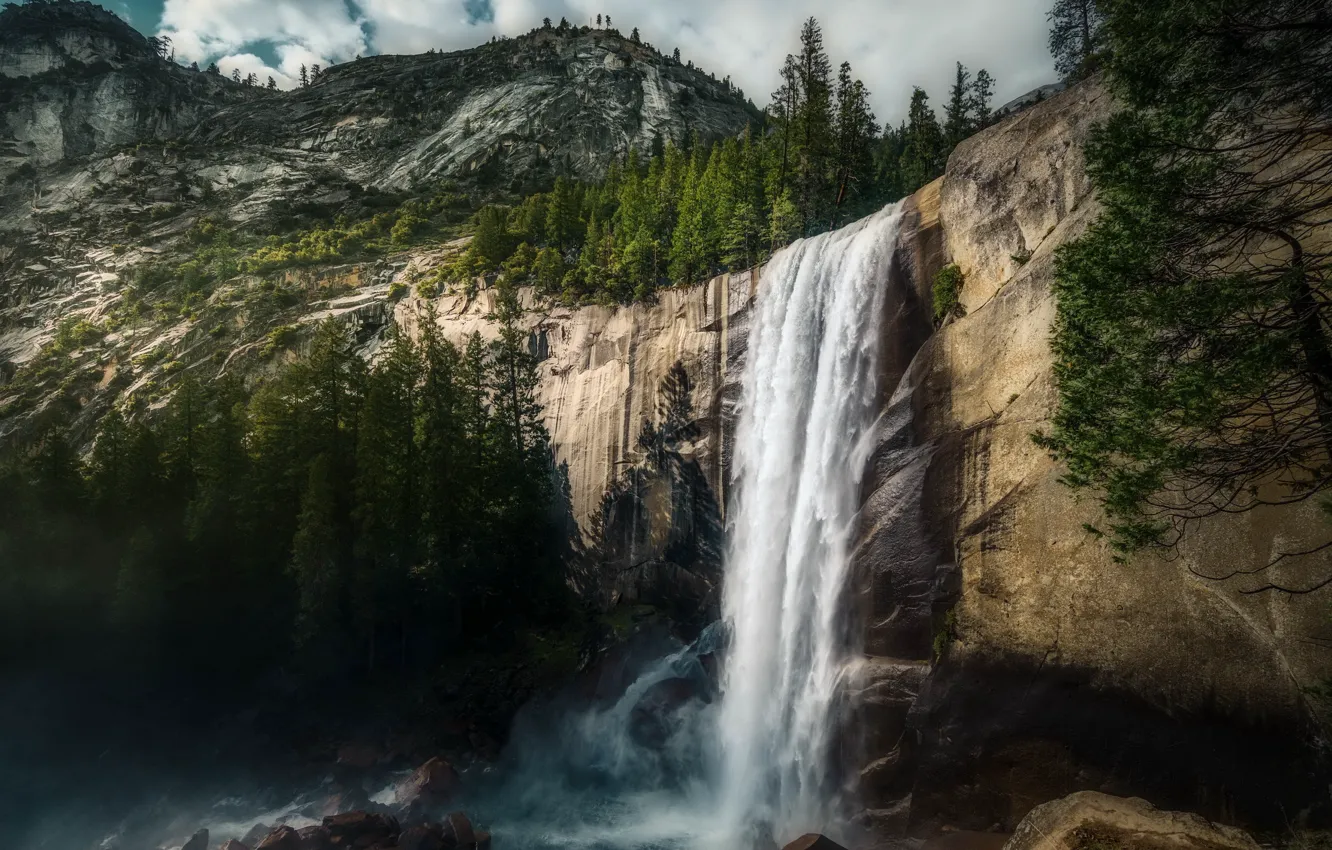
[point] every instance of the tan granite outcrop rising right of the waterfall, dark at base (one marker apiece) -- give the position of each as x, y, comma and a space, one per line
1056, 668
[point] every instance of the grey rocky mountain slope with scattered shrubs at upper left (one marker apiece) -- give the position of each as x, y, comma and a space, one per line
121, 169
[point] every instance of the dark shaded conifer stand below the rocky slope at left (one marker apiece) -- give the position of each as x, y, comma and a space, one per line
355, 516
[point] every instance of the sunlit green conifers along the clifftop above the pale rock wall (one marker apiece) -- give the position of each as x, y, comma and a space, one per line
683, 214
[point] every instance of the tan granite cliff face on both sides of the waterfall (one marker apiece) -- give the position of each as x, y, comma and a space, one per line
1009, 660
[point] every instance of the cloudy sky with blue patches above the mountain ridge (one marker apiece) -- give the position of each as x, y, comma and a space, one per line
892, 45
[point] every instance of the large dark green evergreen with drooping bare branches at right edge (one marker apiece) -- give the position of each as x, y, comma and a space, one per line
1193, 342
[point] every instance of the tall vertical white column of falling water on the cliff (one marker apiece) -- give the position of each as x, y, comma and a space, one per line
808, 400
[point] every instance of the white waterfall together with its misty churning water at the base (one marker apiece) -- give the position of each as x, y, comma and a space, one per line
585, 779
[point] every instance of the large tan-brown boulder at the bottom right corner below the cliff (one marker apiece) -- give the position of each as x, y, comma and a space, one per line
1094, 821
